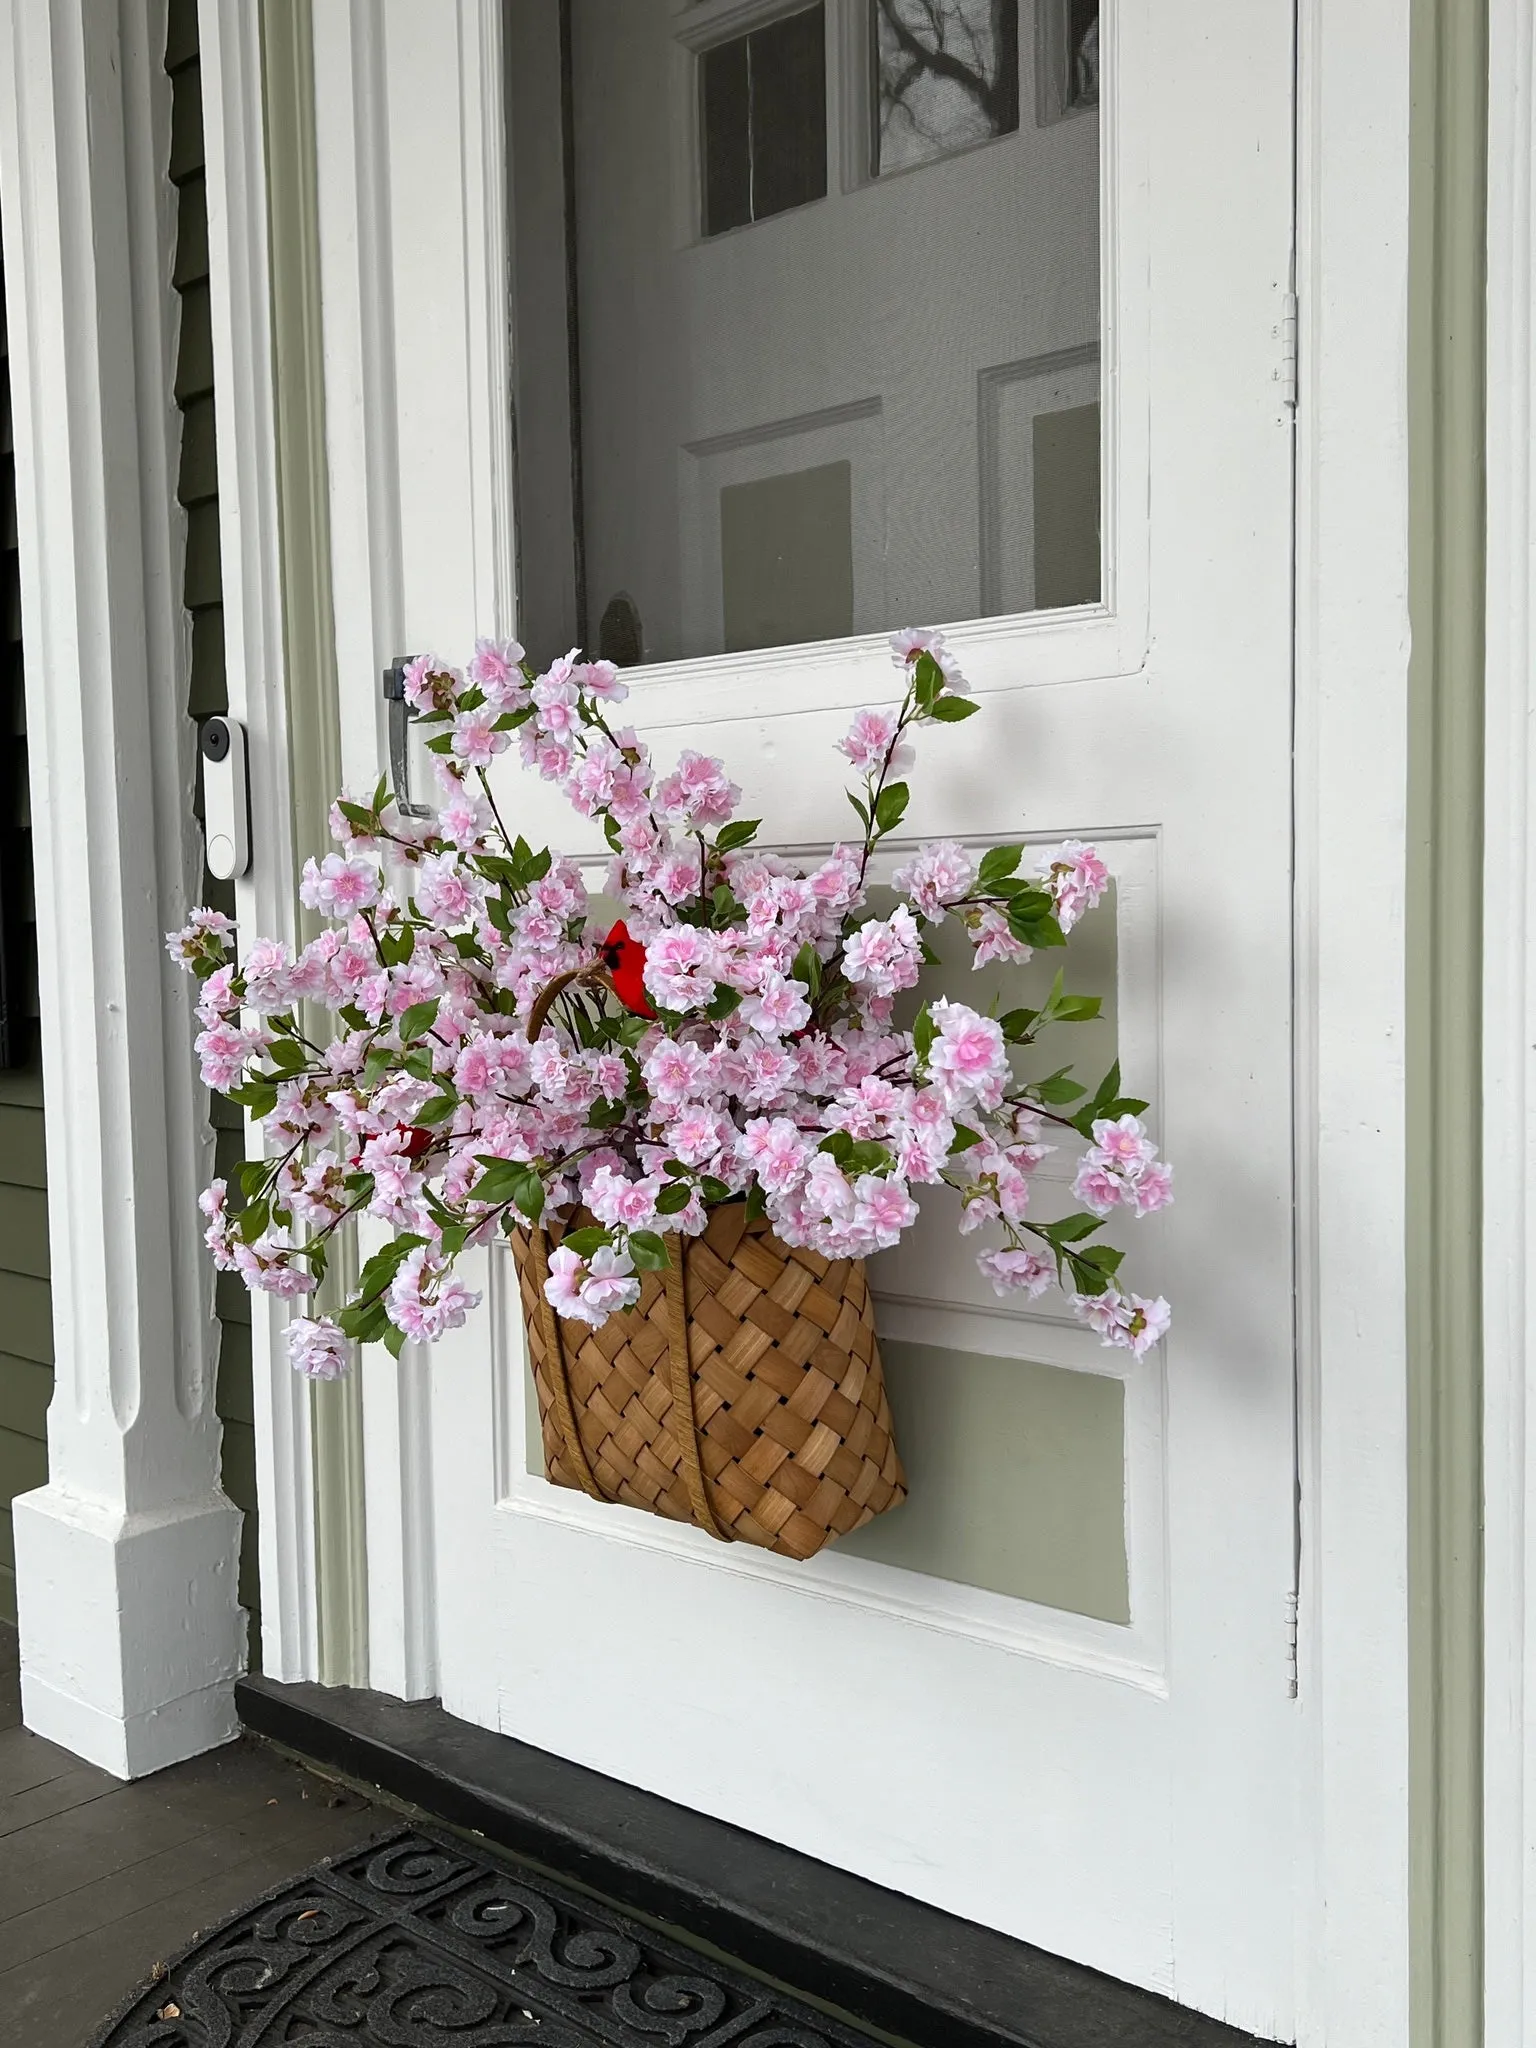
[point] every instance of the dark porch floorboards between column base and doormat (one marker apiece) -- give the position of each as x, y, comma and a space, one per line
99, 1881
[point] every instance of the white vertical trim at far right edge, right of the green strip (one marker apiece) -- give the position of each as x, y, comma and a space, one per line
1510, 1043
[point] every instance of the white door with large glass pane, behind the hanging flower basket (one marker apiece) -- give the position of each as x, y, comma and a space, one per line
833, 321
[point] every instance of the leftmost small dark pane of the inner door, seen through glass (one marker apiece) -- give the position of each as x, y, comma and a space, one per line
765, 122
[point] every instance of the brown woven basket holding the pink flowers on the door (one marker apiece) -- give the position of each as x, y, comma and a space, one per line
759, 1414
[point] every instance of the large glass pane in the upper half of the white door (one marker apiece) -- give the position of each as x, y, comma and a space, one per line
806, 318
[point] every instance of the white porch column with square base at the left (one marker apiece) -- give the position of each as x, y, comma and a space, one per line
126, 1562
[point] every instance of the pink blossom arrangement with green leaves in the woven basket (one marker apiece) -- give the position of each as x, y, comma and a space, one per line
499, 1062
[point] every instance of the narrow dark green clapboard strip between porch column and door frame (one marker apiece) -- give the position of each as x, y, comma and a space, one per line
198, 490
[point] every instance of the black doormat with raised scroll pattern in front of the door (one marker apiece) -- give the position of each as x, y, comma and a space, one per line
415, 1943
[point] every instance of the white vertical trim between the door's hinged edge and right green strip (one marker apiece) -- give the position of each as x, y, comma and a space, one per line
1353, 646
